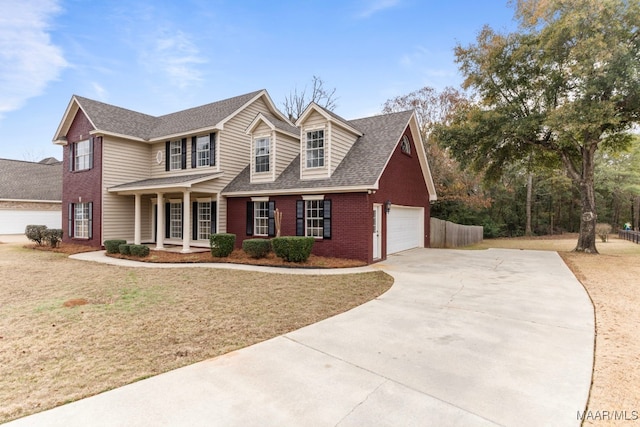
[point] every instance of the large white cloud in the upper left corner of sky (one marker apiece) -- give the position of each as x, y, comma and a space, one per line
29, 61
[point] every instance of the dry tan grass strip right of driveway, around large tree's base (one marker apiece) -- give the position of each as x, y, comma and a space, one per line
612, 280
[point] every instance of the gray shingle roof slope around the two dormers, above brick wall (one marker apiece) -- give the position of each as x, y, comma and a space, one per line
361, 167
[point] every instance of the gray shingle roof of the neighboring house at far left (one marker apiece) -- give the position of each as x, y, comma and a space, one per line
30, 181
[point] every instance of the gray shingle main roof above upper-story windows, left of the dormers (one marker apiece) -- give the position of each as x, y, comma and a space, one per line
112, 119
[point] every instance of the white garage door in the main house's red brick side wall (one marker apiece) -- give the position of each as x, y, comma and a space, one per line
405, 228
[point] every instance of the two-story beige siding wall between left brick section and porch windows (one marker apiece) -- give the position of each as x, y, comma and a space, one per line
123, 161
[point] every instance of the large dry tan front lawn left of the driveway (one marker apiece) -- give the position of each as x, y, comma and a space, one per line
71, 329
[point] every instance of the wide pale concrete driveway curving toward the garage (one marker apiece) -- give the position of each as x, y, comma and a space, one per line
463, 338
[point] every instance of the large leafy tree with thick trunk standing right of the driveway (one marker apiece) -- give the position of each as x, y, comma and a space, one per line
567, 83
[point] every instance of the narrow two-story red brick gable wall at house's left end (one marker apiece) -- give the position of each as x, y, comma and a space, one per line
83, 186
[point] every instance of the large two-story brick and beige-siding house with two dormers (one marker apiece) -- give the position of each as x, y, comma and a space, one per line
362, 188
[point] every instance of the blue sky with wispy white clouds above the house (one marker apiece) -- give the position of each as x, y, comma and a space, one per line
159, 56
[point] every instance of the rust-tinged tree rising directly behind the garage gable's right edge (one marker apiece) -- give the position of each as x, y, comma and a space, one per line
453, 185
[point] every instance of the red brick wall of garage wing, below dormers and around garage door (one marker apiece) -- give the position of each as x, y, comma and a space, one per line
402, 183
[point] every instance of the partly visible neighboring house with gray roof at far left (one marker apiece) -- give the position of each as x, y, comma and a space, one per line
30, 193
